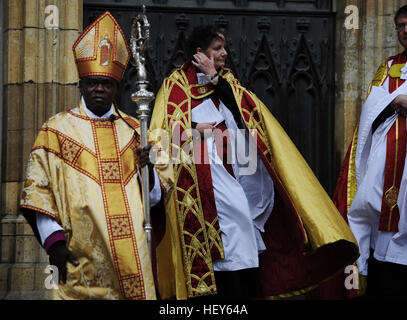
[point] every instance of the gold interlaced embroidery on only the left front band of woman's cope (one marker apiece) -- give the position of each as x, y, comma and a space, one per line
188, 201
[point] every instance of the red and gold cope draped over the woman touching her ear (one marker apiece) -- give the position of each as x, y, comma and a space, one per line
306, 238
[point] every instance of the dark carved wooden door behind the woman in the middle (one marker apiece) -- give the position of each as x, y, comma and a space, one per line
282, 50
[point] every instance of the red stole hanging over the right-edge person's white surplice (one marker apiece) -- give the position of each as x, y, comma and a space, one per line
395, 159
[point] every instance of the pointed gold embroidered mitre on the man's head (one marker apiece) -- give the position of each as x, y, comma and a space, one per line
102, 49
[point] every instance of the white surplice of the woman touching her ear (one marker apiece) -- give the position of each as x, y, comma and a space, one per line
243, 203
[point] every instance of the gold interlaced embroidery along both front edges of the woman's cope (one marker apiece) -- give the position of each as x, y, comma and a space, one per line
188, 201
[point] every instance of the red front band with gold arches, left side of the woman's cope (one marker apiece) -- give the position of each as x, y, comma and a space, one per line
198, 223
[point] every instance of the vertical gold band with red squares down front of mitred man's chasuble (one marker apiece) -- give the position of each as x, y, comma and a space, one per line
117, 211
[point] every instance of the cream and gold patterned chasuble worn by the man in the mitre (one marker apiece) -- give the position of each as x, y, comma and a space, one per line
83, 173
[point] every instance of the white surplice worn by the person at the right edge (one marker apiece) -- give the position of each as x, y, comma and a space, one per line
364, 213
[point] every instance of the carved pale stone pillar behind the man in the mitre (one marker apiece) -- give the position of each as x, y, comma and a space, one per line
40, 79
